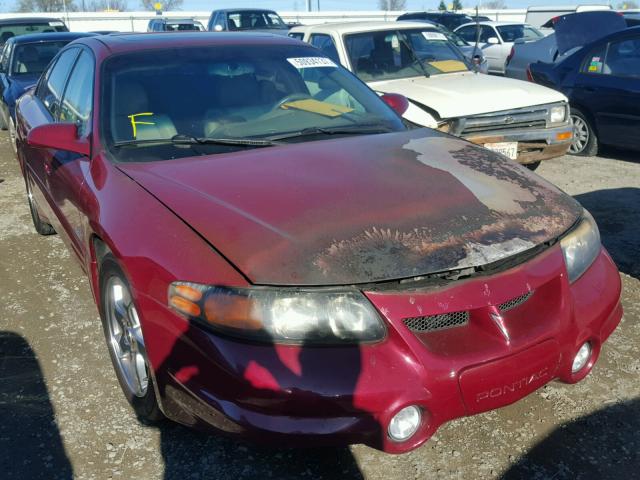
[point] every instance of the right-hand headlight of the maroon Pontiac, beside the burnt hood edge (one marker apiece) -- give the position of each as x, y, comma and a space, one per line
581, 246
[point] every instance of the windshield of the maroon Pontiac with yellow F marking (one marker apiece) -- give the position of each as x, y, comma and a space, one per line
231, 93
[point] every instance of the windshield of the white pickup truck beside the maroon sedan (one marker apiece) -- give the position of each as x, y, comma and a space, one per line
392, 54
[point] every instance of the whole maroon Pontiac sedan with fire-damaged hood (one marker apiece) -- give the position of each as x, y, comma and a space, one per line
275, 255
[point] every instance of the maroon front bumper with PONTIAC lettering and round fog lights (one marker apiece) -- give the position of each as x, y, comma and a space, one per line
304, 395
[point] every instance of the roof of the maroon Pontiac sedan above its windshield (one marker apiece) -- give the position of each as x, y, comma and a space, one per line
131, 42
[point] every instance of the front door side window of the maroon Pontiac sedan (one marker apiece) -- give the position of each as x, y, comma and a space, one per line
78, 95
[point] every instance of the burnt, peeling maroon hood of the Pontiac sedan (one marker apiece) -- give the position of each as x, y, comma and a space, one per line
360, 209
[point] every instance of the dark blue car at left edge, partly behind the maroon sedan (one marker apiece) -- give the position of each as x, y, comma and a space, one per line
22, 61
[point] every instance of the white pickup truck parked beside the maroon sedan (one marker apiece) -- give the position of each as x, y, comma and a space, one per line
526, 122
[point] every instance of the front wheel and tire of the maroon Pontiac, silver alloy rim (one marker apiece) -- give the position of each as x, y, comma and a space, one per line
125, 342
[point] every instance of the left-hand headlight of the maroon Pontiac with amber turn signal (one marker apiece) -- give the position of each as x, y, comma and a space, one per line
281, 315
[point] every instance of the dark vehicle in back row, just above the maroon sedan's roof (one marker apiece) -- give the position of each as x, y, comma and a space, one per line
243, 19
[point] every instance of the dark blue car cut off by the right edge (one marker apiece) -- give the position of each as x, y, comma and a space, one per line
602, 82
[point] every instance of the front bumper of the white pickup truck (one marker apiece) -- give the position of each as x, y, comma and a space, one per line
534, 145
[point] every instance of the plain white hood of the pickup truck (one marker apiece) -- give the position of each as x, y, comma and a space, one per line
456, 95
